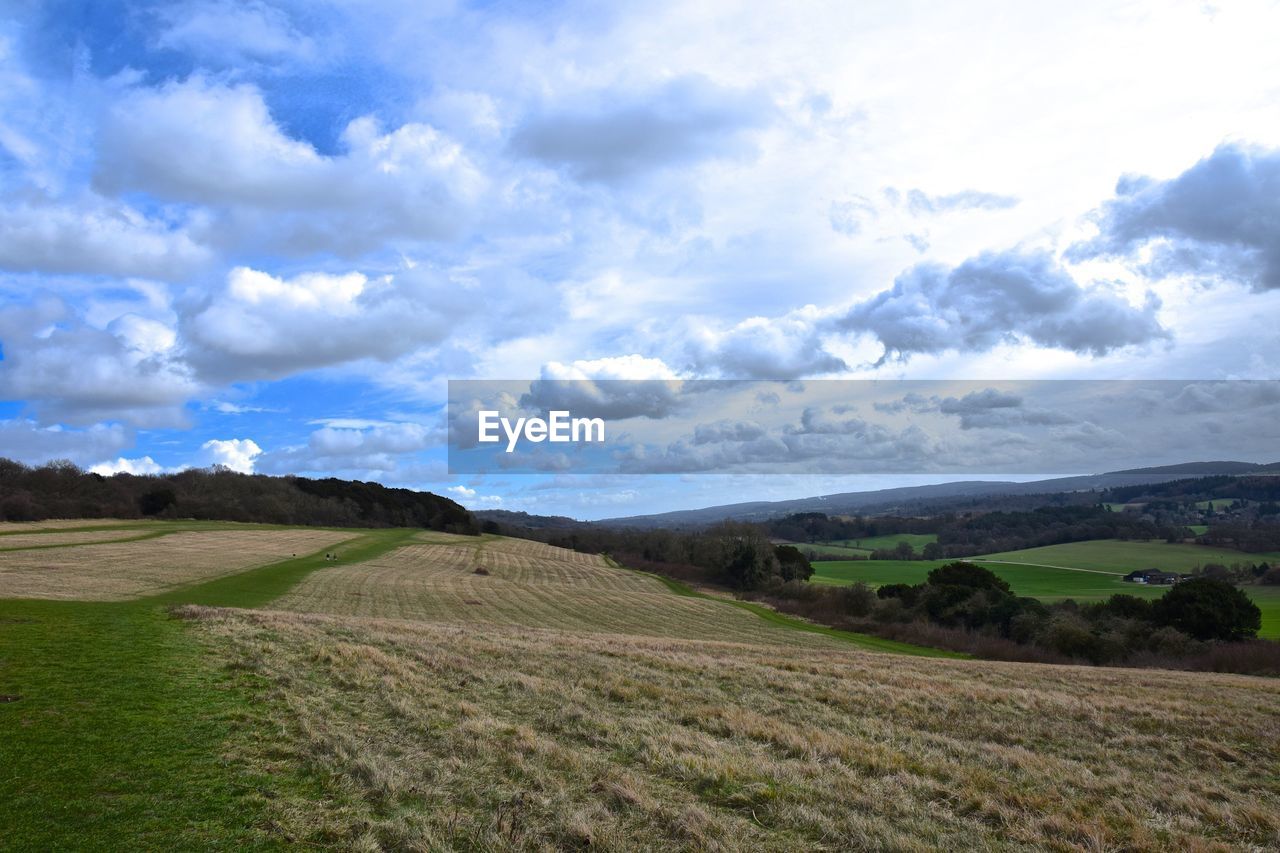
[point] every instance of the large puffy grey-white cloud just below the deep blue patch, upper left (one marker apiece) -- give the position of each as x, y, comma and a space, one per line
203, 143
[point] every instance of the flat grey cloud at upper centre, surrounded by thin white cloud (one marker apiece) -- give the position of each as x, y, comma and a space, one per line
685, 121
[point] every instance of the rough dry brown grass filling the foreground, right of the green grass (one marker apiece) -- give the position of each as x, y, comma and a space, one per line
437, 737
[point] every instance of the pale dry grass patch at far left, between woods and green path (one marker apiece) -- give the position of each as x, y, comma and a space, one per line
117, 572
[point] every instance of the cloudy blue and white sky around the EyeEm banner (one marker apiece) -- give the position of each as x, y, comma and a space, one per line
268, 235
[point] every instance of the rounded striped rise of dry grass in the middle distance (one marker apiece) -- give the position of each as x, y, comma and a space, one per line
524, 583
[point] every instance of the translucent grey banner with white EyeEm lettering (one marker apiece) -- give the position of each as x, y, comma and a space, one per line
856, 427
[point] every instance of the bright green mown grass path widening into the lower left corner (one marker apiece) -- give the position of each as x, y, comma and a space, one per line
125, 715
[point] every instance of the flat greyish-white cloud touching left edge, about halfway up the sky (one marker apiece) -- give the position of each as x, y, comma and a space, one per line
94, 236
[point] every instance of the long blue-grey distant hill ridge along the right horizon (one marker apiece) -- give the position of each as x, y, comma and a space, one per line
938, 496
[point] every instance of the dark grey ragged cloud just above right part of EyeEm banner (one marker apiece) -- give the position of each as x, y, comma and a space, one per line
1000, 298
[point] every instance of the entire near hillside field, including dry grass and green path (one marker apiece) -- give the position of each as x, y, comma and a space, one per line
396, 699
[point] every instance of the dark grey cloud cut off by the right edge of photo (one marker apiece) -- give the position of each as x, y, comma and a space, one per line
1219, 220
